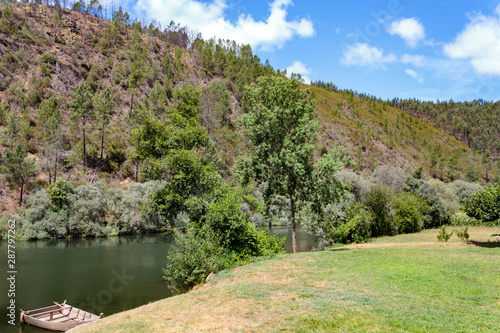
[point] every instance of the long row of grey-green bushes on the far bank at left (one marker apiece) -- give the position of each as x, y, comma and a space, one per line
90, 211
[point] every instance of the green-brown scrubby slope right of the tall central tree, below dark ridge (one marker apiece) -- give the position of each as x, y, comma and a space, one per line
360, 126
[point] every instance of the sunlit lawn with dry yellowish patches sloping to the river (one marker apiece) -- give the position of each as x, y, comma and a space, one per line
408, 283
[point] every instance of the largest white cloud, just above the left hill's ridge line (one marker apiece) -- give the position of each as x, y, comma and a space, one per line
209, 19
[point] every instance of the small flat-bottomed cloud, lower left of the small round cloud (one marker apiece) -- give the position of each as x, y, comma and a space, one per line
365, 55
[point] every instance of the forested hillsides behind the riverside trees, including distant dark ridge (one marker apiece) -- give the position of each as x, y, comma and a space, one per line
85, 96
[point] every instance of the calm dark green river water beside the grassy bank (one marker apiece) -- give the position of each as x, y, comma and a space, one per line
107, 275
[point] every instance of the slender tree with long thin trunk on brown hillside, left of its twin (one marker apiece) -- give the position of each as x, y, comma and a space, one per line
82, 111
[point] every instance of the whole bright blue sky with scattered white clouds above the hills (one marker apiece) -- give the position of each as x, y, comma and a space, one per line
393, 48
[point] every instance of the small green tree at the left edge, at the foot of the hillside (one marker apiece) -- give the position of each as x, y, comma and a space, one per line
18, 170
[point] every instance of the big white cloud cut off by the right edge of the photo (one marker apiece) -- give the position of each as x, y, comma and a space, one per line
479, 42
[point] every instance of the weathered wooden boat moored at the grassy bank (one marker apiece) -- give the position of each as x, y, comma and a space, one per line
58, 317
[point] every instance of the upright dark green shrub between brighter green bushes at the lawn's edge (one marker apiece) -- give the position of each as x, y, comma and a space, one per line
379, 202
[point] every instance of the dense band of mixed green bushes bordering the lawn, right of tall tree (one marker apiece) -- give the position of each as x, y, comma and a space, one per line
393, 202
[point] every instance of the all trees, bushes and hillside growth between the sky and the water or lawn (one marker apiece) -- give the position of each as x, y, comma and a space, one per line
116, 127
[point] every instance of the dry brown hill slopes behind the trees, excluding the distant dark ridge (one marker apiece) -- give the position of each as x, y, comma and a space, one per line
47, 52
